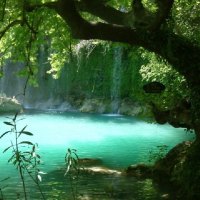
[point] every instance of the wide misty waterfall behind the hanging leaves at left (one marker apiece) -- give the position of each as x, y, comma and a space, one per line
49, 94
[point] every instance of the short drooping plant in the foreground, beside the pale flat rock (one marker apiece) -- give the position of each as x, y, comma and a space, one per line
72, 170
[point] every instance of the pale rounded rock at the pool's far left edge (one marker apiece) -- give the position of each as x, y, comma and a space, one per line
9, 105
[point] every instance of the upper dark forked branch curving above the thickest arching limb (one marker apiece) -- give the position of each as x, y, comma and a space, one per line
138, 17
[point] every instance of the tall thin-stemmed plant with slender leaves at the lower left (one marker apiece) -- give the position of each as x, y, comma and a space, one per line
24, 155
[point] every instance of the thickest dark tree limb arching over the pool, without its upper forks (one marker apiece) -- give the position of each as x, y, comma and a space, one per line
161, 42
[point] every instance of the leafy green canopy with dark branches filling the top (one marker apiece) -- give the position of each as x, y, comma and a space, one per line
165, 27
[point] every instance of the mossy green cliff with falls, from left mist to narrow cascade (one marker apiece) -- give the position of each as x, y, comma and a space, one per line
91, 73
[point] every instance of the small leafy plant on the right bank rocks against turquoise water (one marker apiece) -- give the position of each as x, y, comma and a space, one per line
158, 153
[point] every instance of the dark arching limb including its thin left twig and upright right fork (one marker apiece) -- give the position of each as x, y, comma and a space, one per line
165, 44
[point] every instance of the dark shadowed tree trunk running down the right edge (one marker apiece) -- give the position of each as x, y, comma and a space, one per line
189, 176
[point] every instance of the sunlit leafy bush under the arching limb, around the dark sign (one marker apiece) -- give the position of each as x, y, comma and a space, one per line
157, 69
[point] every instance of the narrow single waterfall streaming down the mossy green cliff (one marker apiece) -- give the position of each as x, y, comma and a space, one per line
116, 79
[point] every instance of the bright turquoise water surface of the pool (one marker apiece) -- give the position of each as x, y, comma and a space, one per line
117, 140
